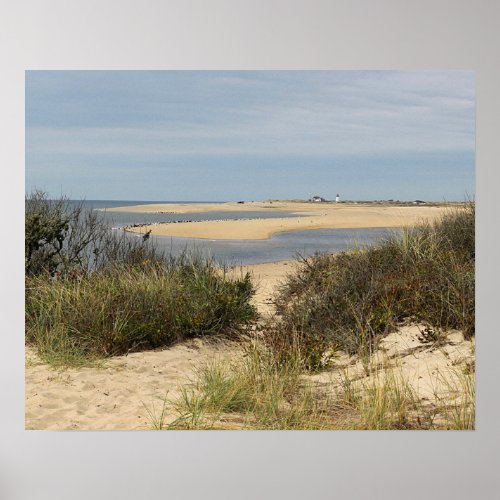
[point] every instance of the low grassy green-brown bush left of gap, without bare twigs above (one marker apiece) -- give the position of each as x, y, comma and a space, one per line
133, 307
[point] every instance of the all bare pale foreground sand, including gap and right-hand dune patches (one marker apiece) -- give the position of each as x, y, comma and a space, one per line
126, 391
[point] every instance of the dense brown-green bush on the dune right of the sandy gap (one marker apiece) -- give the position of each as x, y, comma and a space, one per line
349, 300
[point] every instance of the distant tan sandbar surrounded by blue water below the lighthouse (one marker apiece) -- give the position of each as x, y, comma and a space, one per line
309, 216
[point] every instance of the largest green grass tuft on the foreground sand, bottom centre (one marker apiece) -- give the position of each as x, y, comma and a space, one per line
250, 393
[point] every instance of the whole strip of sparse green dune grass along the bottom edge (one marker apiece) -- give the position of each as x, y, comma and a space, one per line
255, 393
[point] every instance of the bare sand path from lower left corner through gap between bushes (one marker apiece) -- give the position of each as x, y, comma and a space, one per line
118, 395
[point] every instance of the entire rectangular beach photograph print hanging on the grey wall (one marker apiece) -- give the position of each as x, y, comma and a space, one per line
250, 250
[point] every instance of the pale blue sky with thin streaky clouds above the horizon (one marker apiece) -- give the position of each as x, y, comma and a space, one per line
251, 135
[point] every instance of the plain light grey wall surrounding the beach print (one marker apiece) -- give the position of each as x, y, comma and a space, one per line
272, 34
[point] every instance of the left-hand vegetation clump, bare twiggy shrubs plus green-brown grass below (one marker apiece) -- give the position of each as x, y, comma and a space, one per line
90, 294
